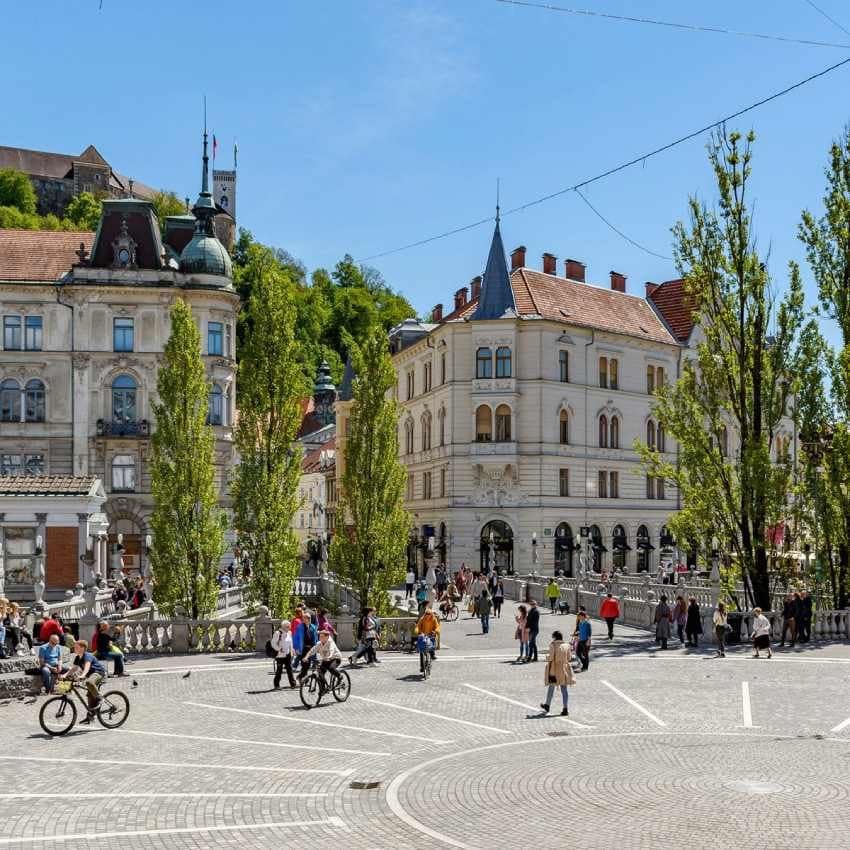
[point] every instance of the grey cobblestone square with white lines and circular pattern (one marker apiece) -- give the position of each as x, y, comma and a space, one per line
660, 749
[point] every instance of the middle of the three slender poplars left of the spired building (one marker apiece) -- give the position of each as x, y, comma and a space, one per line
271, 385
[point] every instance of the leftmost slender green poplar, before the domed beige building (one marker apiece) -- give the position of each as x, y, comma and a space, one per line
187, 525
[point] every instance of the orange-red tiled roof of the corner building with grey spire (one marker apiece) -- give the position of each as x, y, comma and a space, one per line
582, 304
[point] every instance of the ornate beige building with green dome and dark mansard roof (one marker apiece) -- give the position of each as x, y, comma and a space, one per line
85, 321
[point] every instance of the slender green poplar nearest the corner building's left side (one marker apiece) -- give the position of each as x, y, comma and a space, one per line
373, 526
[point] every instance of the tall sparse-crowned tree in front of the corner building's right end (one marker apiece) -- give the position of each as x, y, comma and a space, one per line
736, 388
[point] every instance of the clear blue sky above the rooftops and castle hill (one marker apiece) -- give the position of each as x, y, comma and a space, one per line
368, 124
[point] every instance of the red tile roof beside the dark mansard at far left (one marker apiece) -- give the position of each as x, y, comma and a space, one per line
40, 254
